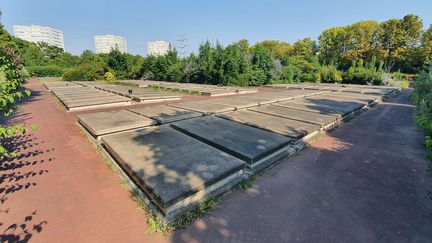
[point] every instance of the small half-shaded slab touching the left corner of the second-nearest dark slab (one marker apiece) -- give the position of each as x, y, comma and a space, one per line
165, 114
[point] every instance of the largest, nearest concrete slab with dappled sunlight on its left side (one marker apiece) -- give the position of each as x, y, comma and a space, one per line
169, 165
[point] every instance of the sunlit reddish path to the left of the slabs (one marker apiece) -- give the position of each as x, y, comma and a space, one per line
64, 192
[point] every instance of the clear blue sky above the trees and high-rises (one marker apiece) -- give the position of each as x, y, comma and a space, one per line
222, 20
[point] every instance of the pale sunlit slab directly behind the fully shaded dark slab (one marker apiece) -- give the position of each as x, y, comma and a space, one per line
288, 127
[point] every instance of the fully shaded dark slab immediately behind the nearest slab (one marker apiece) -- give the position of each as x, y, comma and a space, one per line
244, 142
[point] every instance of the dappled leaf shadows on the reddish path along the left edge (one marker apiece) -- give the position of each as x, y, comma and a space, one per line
18, 175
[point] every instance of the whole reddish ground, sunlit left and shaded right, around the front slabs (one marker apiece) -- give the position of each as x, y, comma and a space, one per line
366, 181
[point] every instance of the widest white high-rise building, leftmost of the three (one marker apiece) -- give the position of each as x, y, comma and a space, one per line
36, 33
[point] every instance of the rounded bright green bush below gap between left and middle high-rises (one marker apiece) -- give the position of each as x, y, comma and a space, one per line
84, 72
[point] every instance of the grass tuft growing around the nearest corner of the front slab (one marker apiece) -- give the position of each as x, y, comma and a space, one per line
157, 225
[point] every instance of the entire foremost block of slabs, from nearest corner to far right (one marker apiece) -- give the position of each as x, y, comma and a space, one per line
180, 154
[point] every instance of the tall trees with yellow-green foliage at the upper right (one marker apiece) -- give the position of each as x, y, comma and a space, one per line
397, 43
